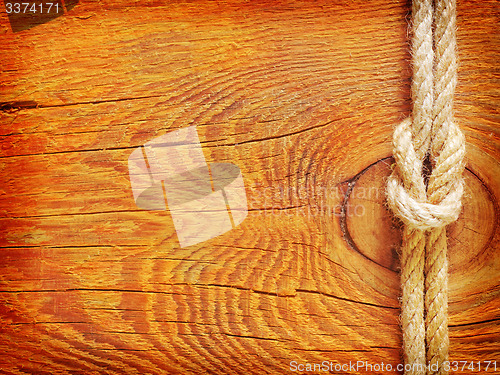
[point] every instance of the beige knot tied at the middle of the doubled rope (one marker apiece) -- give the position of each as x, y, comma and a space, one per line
408, 198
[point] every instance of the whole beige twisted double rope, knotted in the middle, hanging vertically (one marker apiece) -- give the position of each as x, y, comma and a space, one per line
426, 210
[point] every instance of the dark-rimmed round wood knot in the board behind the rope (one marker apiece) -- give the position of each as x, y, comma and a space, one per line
376, 233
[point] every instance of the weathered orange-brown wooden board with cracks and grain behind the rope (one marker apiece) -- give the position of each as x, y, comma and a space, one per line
303, 97
